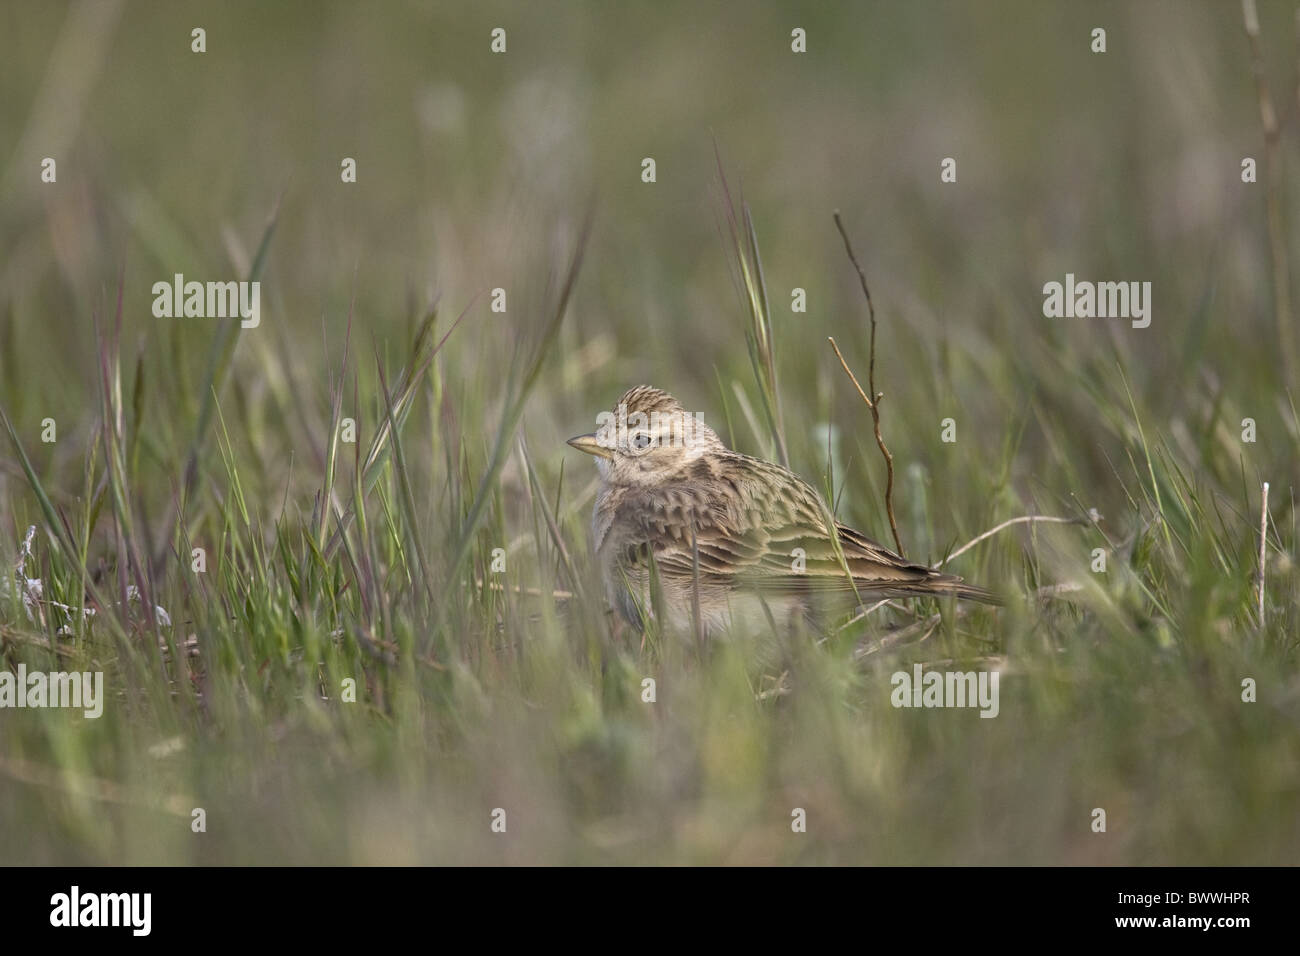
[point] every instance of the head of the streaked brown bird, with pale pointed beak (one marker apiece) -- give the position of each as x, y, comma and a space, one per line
648, 439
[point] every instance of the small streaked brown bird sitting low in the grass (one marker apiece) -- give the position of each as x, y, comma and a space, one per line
743, 540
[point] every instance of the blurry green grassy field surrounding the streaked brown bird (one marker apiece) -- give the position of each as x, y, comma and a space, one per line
371, 561
